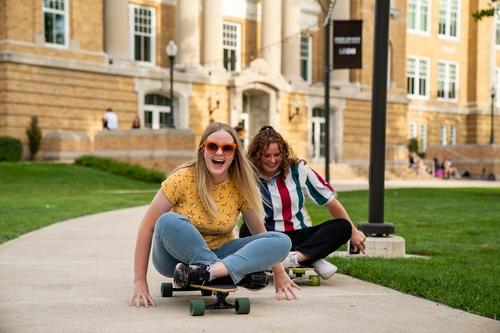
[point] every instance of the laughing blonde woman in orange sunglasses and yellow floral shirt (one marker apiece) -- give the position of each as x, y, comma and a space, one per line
190, 224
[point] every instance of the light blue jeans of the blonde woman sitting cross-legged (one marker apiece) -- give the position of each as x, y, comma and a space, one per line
177, 240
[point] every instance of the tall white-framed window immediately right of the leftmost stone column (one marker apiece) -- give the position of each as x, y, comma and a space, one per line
143, 33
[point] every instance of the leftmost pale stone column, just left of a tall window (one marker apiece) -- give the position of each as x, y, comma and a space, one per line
116, 40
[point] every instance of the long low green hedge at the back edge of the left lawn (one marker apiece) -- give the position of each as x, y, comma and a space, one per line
121, 168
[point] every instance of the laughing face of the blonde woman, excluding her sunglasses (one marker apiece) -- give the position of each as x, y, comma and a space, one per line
218, 163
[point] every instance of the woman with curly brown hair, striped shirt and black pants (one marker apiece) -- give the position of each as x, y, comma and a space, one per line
285, 183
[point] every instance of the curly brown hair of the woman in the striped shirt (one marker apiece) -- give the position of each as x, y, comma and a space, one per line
261, 142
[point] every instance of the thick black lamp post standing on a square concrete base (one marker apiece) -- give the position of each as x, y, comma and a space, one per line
376, 225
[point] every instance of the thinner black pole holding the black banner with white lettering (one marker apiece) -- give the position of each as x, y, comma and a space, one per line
327, 97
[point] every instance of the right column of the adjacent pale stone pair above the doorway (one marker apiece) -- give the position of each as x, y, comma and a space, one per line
290, 60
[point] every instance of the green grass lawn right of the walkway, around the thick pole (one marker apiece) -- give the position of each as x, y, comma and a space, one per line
459, 231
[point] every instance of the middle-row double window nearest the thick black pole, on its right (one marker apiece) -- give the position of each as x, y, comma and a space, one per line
417, 73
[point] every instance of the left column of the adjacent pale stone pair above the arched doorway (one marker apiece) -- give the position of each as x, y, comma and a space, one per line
271, 34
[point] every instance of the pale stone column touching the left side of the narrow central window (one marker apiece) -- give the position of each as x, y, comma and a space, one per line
212, 35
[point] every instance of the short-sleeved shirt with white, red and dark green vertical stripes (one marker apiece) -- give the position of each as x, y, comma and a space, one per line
284, 202
